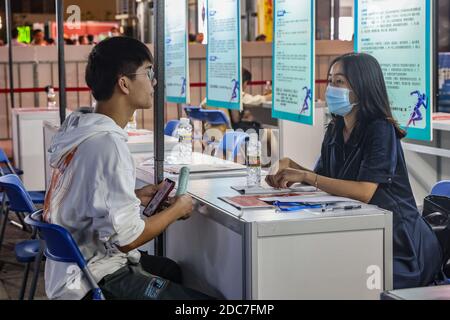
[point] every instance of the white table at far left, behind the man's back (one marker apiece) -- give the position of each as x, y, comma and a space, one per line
28, 143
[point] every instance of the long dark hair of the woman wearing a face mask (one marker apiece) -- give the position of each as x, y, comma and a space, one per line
365, 77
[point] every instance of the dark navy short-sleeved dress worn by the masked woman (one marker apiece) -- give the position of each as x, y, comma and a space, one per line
373, 153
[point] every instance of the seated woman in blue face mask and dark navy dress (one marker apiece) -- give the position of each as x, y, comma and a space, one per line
362, 158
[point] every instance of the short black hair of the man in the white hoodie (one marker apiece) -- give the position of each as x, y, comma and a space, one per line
112, 58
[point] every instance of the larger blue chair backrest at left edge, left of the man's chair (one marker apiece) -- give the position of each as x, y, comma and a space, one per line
19, 199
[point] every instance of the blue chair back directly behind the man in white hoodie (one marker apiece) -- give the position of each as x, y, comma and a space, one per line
61, 247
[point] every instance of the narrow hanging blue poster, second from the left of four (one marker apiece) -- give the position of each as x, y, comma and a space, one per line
223, 57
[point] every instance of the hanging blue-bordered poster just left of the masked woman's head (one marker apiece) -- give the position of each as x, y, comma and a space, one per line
294, 60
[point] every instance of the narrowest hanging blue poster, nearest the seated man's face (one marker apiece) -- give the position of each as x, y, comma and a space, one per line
176, 52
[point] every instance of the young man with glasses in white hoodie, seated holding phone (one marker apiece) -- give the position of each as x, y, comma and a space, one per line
92, 189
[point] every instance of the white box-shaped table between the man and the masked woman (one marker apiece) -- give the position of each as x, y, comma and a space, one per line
262, 254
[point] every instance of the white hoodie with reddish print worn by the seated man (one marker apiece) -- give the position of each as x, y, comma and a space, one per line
91, 195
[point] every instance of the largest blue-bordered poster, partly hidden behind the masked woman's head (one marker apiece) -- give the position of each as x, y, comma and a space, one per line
398, 34
